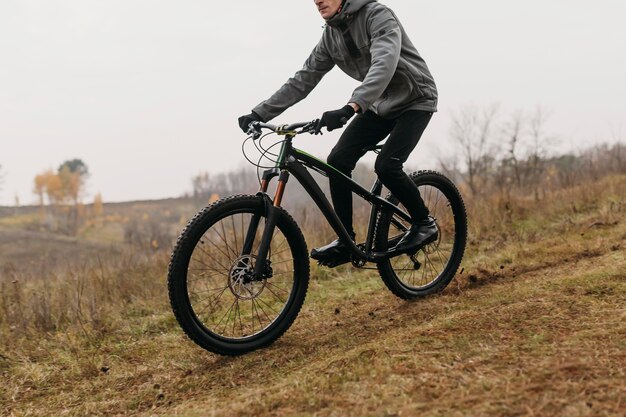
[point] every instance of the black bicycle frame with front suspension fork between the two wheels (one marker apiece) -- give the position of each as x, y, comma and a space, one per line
294, 161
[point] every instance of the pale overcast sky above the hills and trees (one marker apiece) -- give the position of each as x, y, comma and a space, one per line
147, 92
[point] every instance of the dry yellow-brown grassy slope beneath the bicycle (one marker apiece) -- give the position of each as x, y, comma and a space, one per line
533, 325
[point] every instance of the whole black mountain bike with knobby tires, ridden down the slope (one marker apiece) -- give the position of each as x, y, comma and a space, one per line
239, 272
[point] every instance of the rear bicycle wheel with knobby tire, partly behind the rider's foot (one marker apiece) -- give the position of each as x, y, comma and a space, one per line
432, 267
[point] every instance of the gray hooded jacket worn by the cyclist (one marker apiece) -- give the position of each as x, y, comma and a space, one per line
394, 76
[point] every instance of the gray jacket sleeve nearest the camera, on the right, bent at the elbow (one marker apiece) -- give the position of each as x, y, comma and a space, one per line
386, 44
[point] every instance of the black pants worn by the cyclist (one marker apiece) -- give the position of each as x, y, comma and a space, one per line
368, 129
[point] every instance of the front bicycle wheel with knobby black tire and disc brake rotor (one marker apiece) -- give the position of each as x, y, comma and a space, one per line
212, 294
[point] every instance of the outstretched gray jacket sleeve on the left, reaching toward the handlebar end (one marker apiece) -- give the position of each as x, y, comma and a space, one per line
299, 86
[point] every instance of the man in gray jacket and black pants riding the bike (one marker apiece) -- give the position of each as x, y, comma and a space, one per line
397, 97
